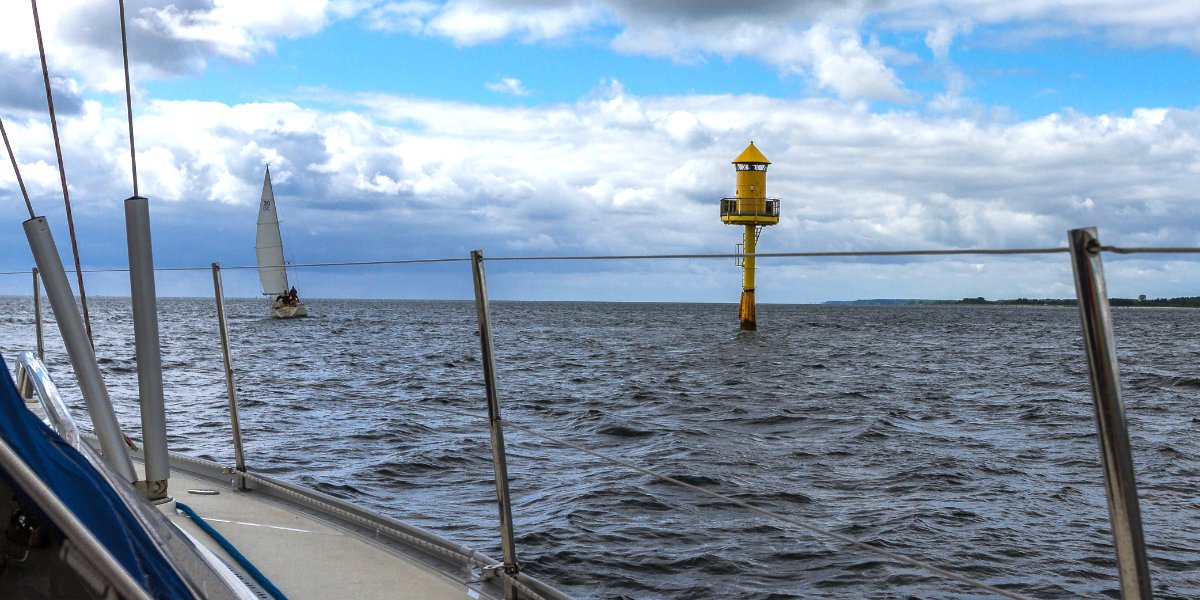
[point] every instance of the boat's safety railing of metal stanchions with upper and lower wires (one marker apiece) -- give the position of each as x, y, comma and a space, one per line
1085, 253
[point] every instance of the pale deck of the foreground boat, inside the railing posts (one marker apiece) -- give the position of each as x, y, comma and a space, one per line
284, 541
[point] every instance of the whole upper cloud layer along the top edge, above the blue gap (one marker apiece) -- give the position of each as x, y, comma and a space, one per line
831, 44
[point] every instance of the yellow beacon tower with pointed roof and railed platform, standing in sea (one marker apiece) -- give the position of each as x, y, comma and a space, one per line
751, 208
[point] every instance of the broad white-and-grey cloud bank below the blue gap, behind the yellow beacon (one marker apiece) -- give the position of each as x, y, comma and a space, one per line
616, 173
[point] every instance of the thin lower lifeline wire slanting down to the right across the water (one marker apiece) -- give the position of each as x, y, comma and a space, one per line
839, 537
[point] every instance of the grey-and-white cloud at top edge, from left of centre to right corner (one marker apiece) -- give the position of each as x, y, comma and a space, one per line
830, 43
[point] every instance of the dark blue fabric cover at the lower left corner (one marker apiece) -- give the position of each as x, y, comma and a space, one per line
77, 484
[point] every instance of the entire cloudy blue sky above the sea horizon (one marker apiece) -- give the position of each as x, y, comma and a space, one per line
422, 130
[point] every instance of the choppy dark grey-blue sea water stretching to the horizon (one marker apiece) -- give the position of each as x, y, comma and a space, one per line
961, 436
